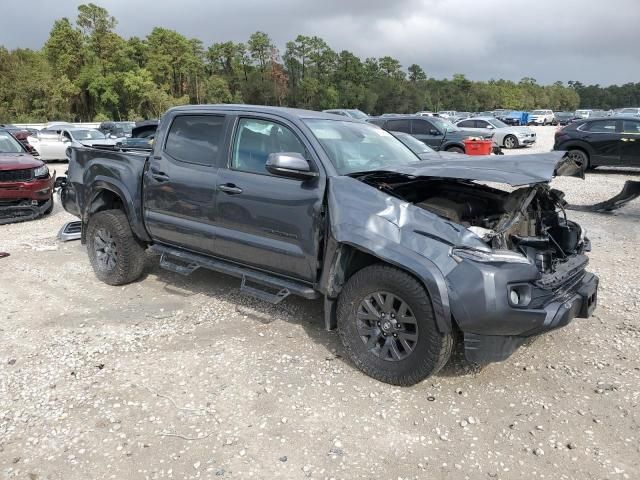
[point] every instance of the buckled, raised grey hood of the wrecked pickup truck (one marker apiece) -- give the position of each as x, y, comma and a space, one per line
513, 170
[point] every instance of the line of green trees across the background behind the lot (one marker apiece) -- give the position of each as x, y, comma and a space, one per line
87, 72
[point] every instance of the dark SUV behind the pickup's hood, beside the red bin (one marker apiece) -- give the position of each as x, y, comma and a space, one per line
437, 133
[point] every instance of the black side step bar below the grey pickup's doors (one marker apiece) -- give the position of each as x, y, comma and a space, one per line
185, 263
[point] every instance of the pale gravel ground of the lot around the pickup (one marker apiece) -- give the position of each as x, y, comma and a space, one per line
174, 377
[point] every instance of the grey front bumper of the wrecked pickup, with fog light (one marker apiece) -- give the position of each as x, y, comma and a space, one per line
494, 328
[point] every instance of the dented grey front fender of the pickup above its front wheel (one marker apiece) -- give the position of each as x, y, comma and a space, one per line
400, 234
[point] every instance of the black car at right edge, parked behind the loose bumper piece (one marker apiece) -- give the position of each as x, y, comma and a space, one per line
608, 141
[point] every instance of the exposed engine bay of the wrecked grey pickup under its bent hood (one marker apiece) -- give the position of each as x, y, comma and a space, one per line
530, 220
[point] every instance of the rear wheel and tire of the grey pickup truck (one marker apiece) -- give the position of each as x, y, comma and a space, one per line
124, 258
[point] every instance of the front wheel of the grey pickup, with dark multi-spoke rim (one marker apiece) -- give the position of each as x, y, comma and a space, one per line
428, 349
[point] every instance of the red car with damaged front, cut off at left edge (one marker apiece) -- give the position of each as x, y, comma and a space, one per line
26, 186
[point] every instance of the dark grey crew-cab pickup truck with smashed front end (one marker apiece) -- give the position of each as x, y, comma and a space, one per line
406, 253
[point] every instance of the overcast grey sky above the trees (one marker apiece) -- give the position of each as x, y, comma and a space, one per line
594, 41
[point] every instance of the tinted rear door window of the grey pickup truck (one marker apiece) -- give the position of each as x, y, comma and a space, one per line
196, 139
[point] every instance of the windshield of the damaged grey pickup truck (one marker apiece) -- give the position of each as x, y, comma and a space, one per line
359, 147
